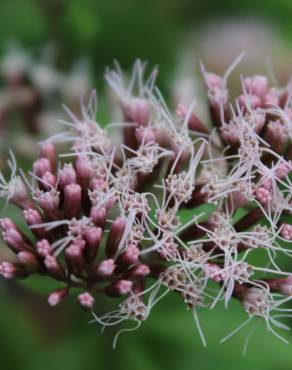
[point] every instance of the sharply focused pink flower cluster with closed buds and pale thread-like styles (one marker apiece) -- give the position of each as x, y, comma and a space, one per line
176, 205
